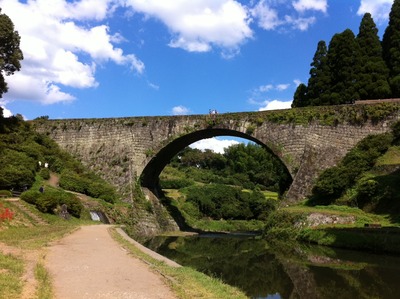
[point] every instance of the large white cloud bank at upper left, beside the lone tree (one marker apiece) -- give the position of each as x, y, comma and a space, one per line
61, 49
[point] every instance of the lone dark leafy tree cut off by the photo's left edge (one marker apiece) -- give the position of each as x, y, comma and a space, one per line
10, 53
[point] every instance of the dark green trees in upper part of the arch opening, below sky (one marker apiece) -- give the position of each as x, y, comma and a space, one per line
242, 165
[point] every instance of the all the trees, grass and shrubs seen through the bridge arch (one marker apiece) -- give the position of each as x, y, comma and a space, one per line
229, 186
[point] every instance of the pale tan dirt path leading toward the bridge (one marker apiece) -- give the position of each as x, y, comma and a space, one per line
90, 264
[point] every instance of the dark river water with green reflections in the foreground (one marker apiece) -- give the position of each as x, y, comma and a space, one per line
264, 270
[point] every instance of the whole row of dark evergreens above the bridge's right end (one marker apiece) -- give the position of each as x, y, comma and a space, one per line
355, 67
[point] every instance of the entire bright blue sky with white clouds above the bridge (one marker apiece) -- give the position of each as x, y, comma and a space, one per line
116, 58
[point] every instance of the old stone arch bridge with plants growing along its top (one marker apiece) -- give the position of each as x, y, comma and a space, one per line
306, 140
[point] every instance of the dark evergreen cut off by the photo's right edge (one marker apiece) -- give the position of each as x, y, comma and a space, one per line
391, 48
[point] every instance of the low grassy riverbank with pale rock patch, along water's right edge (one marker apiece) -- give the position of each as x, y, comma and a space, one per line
336, 226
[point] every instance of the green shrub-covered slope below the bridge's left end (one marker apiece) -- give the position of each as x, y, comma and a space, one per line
27, 158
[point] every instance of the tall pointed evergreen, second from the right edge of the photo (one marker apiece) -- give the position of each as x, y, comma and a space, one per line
372, 80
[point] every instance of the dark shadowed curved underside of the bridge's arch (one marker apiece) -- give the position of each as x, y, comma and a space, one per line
150, 175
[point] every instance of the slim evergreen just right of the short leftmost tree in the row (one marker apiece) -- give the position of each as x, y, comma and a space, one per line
320, 77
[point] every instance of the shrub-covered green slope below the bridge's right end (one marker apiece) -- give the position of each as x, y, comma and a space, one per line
362, 179
